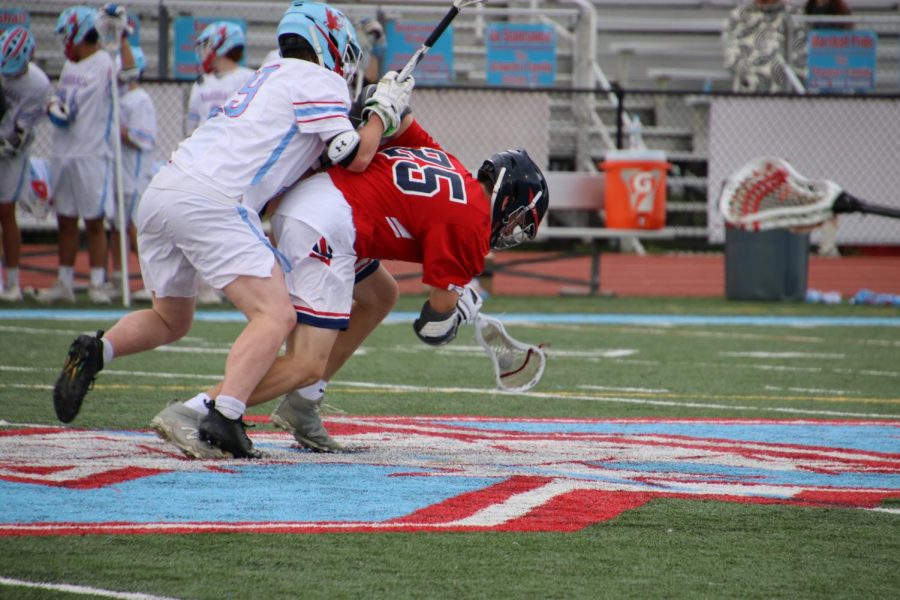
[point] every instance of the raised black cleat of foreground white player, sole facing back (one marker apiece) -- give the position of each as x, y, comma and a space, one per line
84, 361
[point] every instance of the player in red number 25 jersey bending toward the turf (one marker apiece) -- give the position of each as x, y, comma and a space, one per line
415, 203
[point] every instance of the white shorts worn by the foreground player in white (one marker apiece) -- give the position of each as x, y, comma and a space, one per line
184, 236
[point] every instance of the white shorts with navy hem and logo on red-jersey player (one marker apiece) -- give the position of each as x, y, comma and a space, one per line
322, 274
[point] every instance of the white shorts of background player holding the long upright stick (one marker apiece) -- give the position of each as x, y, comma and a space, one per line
82, 186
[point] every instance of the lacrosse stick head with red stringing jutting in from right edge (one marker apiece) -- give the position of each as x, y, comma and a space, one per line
767, 193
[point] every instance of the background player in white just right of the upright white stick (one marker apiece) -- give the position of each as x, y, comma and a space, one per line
137, 119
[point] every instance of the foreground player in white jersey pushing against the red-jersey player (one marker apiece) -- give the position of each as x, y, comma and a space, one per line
200, 215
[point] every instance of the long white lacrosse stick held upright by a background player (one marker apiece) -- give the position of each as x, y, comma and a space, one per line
110, 28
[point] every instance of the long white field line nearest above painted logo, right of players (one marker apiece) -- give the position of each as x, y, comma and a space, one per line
615, 400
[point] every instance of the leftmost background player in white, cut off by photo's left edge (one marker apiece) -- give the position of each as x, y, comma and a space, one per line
25, 90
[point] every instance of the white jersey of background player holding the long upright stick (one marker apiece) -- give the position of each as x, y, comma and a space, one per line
85, 89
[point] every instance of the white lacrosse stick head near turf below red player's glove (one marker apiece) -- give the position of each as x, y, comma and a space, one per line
518, 366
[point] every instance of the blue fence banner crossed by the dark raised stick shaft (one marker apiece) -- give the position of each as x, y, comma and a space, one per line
405, 37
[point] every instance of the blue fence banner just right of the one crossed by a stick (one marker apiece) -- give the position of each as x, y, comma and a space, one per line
521, 55
